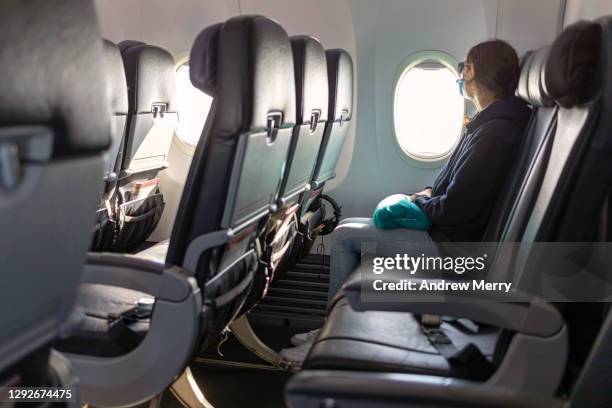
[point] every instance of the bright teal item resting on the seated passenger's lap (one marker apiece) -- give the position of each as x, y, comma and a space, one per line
398, 211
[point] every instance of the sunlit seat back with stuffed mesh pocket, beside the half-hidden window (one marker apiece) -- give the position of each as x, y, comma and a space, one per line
150, 126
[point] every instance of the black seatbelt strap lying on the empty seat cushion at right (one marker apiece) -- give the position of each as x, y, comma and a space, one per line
477, 366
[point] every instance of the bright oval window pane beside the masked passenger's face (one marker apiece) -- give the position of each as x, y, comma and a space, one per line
428, 109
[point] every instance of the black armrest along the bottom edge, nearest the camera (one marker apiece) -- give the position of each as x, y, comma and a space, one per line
318, 388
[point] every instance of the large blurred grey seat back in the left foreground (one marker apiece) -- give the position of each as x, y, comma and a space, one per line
53, 131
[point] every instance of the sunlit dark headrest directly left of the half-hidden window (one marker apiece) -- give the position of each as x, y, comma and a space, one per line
150, 75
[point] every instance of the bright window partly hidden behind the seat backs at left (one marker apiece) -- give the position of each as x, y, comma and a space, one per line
193, 106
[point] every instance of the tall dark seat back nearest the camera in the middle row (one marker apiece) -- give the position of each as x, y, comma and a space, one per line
247, 66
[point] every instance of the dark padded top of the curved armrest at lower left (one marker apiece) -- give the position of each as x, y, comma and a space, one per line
131, 272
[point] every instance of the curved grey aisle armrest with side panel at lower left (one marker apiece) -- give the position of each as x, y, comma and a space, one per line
147, 370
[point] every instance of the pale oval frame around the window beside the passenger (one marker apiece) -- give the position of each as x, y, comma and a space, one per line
411, 61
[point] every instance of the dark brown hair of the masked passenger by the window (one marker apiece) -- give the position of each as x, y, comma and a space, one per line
496, 67
